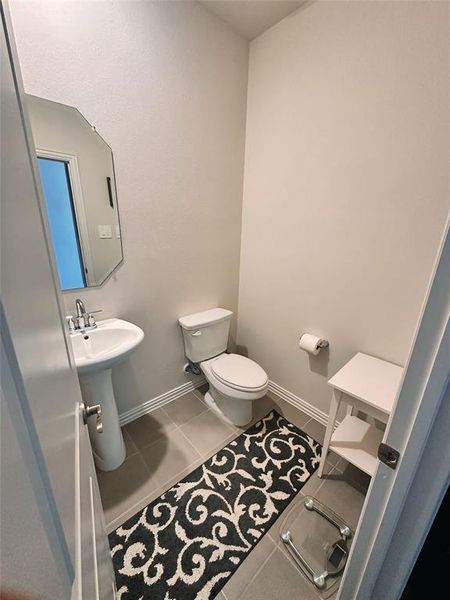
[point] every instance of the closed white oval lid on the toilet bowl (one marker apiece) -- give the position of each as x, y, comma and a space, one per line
239, 372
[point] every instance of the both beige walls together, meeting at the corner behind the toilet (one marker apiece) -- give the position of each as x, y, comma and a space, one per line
346, 173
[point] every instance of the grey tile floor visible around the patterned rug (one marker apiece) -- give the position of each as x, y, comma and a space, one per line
164, 446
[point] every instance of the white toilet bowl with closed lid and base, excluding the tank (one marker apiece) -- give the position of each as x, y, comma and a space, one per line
234, 382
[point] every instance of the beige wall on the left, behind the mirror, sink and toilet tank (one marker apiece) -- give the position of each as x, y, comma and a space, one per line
165, 83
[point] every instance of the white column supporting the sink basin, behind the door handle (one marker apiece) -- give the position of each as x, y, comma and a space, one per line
108, 446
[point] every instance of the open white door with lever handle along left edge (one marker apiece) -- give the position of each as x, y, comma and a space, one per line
53, 542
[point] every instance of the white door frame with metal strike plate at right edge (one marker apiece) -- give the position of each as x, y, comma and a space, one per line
419, 400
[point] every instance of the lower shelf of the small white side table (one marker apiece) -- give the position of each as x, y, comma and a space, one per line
357, 441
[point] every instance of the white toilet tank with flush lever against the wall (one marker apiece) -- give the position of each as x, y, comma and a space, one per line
205, 334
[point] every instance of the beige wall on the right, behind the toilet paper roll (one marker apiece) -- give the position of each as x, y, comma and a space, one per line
346, 185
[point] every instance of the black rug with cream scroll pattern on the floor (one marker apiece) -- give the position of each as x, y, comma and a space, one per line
188, 542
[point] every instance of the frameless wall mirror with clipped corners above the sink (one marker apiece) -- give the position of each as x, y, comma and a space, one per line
78, 182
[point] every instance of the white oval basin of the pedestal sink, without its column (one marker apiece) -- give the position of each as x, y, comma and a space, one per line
106, 345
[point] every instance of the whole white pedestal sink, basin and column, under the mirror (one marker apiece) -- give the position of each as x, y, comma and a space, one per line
96, 352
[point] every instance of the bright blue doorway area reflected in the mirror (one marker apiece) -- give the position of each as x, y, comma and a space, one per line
63, 227
